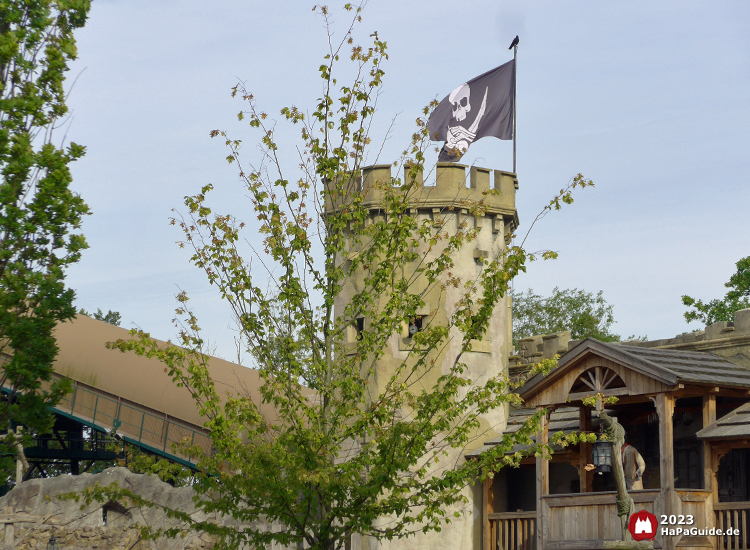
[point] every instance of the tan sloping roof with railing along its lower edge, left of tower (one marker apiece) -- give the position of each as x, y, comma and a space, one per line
134, 395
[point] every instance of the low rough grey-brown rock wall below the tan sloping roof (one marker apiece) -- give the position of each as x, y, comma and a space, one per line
32, 514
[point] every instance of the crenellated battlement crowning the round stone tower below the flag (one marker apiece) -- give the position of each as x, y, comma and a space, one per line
452, 189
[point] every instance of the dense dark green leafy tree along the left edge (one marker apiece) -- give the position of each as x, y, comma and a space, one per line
39, 214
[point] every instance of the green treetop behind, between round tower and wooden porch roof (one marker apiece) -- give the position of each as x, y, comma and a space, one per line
584, 314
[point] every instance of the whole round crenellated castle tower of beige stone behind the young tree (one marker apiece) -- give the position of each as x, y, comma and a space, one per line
463, 199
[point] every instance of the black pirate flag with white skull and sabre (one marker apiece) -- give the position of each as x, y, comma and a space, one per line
481, 107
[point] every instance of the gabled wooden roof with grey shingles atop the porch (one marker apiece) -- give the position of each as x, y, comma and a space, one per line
619, 370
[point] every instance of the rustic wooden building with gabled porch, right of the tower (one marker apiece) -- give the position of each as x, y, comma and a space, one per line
686, 411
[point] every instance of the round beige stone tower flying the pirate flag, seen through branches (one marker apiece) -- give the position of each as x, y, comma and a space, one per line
448, 207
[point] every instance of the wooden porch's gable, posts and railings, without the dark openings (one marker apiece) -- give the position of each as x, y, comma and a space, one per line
585, 520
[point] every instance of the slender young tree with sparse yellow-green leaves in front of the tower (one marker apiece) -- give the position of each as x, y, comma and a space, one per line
344, 449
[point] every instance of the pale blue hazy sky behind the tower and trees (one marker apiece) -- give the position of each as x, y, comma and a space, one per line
647, 99
